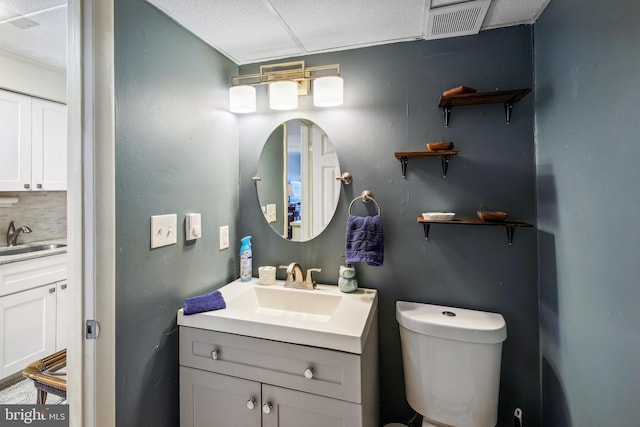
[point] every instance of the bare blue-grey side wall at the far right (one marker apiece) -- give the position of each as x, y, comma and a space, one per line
588, 121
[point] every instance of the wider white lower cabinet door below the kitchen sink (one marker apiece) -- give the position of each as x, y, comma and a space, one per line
27, 328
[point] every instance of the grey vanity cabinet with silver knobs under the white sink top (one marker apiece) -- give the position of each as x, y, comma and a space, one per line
228, 379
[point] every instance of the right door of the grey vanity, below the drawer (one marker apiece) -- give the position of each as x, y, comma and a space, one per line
289, 408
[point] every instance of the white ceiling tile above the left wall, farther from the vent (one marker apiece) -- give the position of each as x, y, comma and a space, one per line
244, 31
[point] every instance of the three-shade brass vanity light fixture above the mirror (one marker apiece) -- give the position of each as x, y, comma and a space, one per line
287, 81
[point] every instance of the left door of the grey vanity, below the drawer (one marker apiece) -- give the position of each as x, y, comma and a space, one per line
214, 400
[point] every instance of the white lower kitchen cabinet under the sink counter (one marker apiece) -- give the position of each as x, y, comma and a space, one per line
32, 311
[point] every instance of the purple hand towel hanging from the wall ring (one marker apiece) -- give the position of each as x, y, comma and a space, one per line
364, 240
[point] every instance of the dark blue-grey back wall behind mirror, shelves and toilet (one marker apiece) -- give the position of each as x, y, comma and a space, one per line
391, 104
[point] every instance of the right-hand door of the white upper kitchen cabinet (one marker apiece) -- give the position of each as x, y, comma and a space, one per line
49, 145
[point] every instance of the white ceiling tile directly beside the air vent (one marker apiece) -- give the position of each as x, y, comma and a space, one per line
335, 24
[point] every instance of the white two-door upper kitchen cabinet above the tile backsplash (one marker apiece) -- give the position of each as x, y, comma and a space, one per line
34, 144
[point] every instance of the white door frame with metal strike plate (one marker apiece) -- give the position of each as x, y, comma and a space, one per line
91, 211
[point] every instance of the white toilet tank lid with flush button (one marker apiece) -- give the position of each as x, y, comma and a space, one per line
452, 323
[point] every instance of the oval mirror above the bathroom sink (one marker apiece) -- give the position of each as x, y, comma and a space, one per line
297, 186
